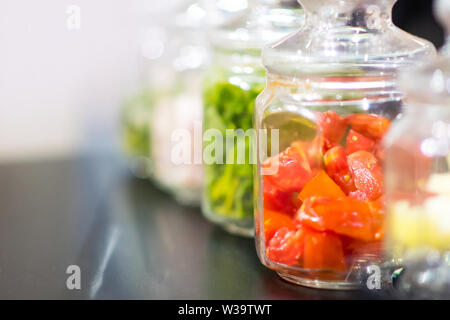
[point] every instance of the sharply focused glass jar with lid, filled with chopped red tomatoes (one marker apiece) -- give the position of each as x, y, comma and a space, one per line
330, 98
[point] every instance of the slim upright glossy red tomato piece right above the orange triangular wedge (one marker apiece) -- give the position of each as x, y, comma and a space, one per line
337, 168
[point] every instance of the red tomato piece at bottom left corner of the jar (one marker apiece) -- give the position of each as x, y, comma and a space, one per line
286, 246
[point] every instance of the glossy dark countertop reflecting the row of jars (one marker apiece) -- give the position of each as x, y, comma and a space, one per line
130, 240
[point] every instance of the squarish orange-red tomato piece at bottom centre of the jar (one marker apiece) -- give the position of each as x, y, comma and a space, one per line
323, 251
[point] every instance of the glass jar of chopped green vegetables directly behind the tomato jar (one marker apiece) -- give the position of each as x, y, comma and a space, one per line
230, 89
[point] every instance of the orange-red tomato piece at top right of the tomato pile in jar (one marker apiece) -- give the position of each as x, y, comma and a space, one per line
370, 125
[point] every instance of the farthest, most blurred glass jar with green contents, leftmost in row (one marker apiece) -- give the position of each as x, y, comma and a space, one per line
136, 113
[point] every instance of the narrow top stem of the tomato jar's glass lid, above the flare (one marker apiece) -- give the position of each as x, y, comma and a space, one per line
370, 14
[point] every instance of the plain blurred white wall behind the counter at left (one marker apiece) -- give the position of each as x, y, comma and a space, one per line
60, 89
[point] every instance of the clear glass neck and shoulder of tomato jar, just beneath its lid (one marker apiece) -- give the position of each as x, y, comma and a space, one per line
342, 93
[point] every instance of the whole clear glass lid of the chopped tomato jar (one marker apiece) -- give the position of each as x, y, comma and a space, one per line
345, 36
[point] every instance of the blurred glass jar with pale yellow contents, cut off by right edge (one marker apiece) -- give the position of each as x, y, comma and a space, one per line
418, 180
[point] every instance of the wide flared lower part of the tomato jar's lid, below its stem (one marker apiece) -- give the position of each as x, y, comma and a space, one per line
312, 50
